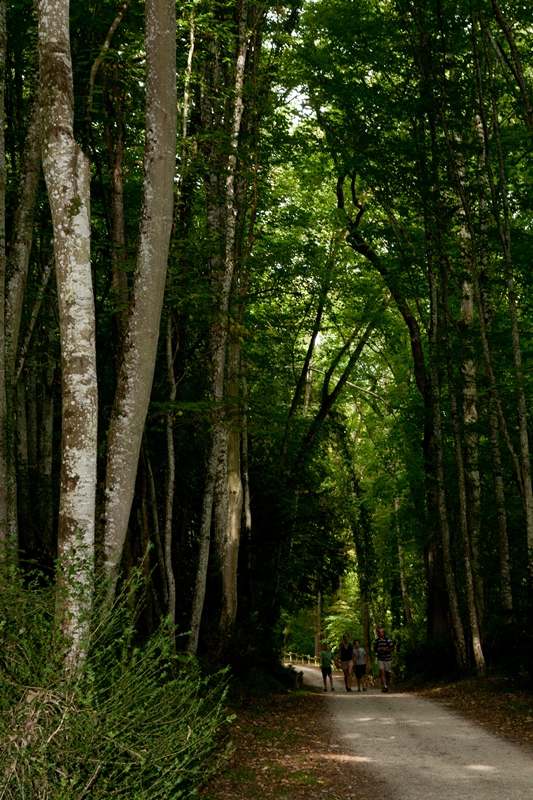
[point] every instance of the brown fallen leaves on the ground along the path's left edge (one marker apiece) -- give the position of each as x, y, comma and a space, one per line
285, 747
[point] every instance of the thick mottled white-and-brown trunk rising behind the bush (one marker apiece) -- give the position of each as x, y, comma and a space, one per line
67, 175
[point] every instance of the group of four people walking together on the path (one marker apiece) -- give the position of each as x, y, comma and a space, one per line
352, 658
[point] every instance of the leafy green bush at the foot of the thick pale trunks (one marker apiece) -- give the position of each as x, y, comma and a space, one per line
136, 722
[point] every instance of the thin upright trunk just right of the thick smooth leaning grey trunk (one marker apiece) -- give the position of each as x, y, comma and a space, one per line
171, 480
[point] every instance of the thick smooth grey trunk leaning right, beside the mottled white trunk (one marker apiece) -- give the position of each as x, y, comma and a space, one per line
136, 373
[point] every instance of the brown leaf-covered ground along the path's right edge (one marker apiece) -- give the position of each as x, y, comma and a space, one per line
494, 703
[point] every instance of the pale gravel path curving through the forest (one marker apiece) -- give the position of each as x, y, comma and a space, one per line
421, 750
